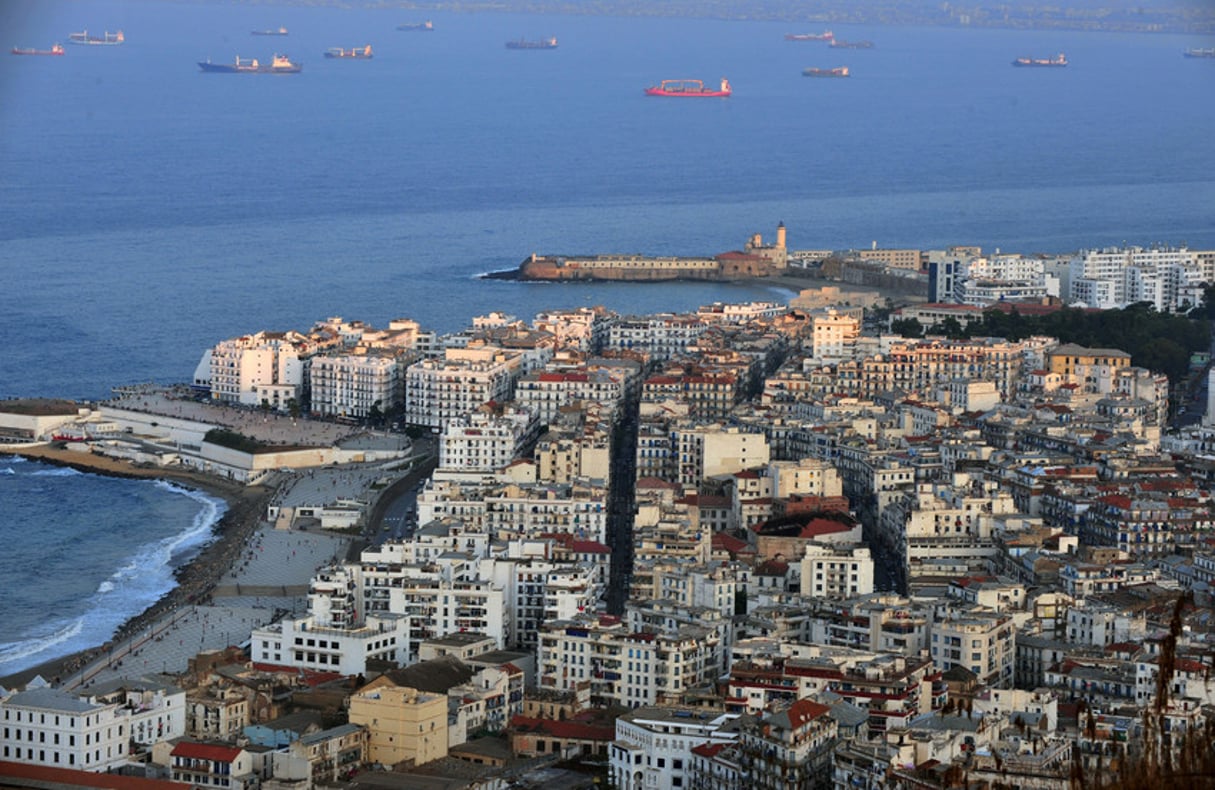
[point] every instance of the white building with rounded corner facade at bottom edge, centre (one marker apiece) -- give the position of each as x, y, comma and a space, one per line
653, 747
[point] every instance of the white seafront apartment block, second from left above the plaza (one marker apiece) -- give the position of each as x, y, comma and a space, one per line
351, 385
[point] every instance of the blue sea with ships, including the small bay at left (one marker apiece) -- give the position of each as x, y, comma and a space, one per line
149, 211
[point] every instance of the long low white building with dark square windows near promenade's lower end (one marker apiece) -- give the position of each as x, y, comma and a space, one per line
313, 644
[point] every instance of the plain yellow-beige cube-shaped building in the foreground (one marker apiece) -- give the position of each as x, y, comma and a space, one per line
404, 725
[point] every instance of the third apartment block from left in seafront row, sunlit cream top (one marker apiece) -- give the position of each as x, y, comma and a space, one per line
438, 392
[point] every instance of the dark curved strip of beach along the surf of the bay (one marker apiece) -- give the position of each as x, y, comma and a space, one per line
196, 580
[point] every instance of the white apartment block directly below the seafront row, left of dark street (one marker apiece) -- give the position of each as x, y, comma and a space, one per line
485, 441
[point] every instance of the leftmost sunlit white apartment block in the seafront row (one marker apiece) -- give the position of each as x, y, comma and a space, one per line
253, 368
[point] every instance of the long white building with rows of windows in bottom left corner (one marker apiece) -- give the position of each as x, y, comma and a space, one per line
44, 726
